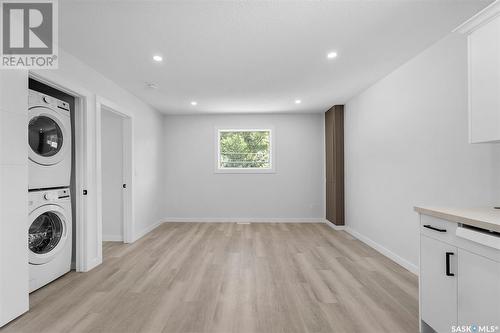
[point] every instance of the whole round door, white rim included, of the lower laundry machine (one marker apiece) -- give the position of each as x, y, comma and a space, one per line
46, 234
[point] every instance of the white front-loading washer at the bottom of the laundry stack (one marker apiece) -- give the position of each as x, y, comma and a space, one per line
49, 236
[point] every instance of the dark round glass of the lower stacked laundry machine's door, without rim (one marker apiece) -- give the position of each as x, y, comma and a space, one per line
45, 233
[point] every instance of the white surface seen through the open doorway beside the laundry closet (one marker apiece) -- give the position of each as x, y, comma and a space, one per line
112, 180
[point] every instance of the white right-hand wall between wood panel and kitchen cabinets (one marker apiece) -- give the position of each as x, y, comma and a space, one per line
406, 145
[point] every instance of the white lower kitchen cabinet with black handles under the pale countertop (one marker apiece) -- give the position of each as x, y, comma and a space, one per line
459, 280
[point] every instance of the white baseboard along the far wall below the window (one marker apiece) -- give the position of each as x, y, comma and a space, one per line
242, 220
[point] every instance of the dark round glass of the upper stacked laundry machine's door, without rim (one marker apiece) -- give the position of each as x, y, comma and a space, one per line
45, 136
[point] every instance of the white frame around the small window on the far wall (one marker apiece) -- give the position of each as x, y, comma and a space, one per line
271, 169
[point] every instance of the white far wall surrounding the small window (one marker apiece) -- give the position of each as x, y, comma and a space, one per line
195, 192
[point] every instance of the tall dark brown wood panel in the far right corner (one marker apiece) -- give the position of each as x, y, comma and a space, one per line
334, 146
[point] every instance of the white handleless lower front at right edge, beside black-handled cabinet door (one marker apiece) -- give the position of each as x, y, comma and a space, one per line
478, 290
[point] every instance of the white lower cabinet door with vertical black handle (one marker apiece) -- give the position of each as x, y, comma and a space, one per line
438, 283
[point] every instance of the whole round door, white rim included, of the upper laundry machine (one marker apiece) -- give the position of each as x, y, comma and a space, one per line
47, 136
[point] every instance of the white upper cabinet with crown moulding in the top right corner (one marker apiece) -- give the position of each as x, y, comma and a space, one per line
483, 34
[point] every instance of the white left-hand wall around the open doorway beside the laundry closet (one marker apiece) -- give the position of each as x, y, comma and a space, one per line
148, 126
